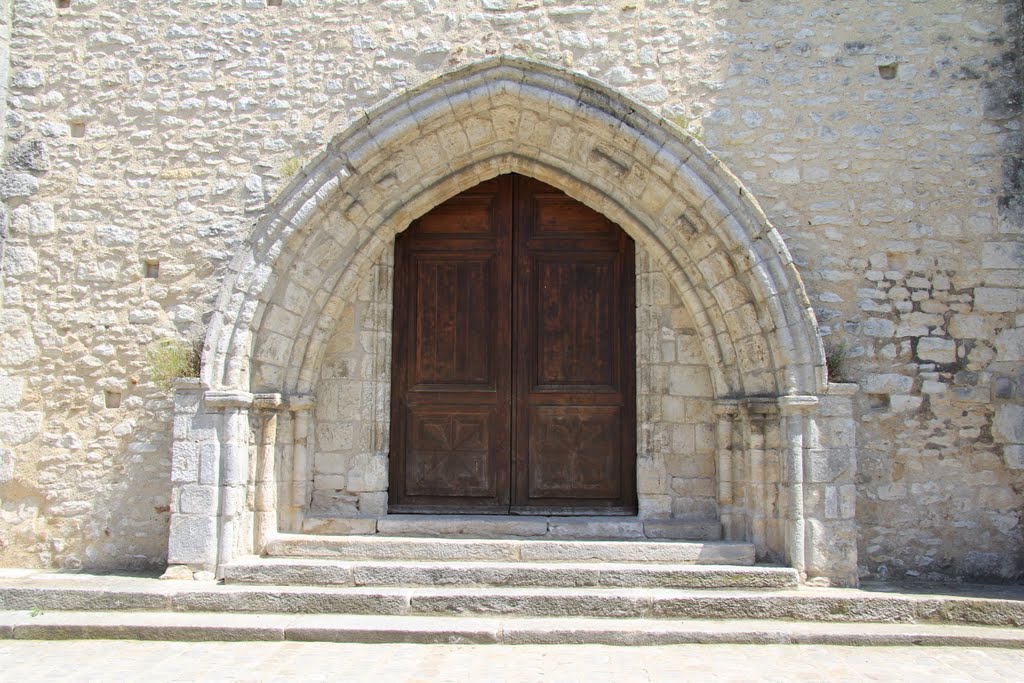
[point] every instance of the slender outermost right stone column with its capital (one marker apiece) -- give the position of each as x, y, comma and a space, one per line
795, 411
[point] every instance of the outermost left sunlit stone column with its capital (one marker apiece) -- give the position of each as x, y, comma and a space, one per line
235, 537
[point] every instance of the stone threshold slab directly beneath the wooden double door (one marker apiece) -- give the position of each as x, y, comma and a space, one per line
517, 527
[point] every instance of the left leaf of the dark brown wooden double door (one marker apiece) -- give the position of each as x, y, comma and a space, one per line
451, 390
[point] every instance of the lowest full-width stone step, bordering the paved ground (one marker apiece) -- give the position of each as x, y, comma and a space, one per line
510, 631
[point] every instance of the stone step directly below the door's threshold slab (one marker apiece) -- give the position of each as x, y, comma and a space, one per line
510, 550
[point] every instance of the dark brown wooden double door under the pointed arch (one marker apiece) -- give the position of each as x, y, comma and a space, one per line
514, 377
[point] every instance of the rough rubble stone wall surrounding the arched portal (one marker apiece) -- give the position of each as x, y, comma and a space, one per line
882, 139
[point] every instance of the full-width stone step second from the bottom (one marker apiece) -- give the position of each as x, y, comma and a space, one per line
47, 591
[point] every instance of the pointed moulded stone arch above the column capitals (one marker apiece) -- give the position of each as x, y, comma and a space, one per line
500, 116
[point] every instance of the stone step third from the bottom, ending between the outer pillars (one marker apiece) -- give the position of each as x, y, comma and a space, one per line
300, 572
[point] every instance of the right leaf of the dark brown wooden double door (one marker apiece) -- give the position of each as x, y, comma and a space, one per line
574, 388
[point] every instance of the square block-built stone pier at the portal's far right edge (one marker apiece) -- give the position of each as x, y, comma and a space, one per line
830, 489
